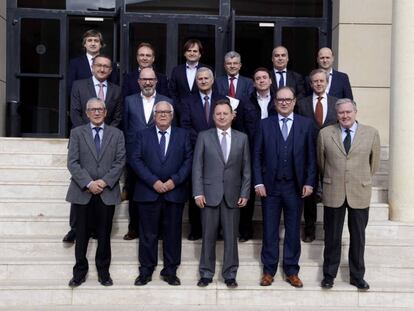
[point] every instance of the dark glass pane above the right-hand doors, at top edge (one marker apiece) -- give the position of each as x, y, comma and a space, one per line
295, 8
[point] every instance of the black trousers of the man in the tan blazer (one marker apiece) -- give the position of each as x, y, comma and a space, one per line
333, 225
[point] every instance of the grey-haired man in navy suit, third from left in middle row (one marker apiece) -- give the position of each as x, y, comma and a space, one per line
197, 116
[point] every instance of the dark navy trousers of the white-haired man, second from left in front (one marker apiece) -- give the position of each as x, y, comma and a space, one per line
150, 214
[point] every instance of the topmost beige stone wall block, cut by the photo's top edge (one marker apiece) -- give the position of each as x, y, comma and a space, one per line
365, 12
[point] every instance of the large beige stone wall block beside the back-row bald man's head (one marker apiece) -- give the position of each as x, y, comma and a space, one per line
365, 54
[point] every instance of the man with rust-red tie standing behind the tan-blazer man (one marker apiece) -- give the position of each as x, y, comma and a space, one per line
320, 107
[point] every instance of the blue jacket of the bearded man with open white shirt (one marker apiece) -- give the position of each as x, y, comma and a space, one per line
134, 118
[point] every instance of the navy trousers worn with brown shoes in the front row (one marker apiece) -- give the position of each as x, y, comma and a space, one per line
285, 198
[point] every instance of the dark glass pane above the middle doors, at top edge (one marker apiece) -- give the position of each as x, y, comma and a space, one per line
210, 7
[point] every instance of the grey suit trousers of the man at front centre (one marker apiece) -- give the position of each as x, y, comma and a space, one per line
211, 218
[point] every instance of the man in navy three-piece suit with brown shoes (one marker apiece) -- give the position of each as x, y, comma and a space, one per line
284, 171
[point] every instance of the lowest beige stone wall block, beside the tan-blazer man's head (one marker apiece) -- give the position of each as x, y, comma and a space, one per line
373, 109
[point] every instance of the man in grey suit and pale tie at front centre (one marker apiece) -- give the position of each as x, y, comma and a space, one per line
221, 185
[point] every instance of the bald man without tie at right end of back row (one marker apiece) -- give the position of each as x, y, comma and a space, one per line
338, 83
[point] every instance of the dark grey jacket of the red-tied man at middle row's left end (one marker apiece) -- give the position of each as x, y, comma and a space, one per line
83, 90
